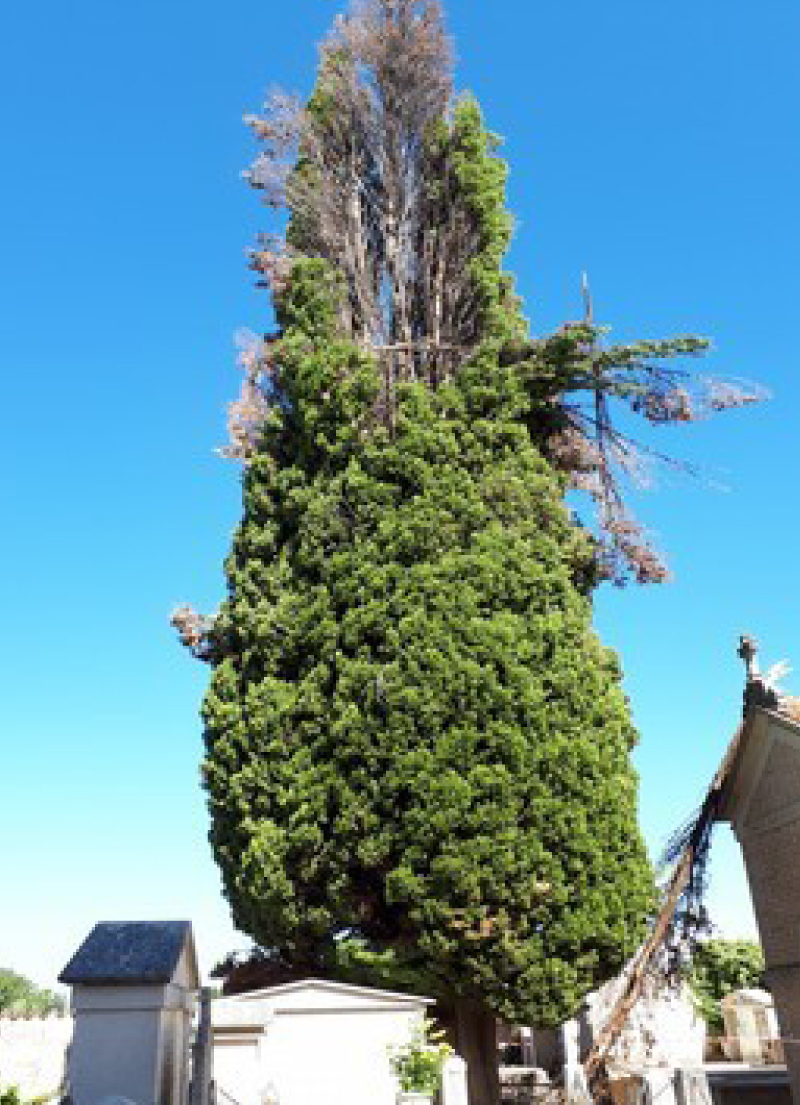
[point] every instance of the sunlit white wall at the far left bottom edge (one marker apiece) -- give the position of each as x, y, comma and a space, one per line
34, 1053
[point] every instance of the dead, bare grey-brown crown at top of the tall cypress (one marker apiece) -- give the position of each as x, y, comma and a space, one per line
353, 167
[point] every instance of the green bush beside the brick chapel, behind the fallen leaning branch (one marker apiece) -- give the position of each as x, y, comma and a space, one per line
719, 967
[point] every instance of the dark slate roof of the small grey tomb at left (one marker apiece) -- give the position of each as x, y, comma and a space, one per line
129, 952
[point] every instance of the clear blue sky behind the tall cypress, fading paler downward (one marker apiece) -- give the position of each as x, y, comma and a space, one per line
654, 145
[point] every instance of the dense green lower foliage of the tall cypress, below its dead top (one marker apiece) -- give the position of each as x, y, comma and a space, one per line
413, 732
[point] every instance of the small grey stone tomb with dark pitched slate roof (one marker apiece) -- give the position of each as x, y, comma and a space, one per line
133, 997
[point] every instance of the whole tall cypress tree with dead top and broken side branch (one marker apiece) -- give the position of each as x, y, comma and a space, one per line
415, 740
